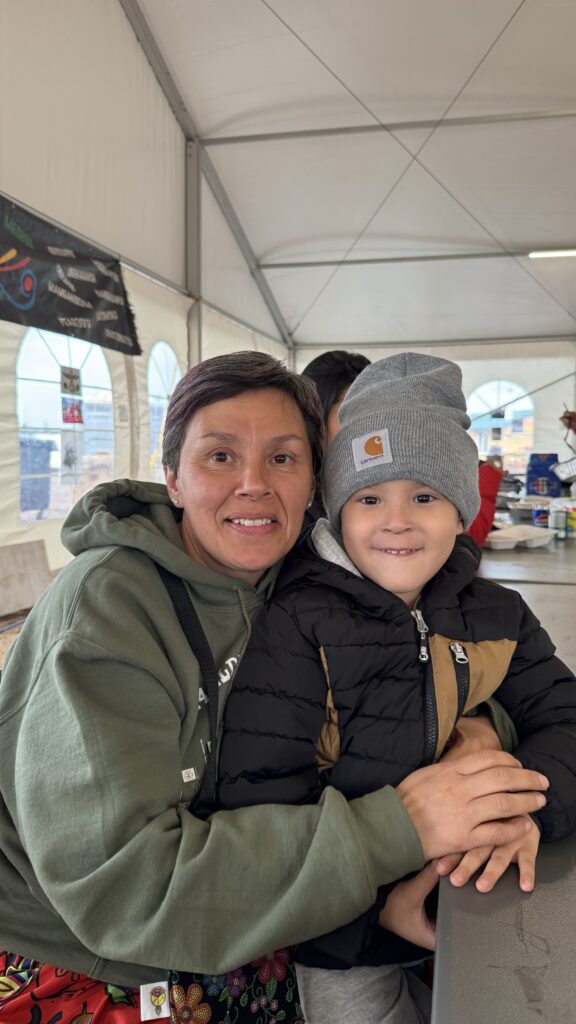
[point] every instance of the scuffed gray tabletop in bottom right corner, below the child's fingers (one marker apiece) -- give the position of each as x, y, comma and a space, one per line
510, 957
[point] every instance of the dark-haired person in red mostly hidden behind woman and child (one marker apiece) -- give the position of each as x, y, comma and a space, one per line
334, 373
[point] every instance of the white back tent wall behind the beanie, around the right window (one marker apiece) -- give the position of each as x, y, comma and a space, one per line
534, 366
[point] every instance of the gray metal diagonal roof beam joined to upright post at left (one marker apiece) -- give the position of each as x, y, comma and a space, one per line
156, 60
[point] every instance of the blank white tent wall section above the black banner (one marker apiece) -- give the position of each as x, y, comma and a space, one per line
88, 138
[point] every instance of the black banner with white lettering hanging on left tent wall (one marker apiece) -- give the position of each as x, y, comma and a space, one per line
53, 280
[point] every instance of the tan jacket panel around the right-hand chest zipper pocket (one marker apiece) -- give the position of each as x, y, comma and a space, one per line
488, 664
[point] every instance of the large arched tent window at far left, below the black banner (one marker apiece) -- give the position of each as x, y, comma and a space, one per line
66, 421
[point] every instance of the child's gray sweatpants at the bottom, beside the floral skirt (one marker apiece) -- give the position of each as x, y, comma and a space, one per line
363, 996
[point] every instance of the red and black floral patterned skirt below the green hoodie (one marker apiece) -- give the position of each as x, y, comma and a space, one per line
264, 993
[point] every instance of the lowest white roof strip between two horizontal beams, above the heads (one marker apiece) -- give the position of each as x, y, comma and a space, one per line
420, 303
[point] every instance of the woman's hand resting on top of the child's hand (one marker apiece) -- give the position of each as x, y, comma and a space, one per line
479, 800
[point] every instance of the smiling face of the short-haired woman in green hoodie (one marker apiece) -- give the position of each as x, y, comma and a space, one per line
244, 480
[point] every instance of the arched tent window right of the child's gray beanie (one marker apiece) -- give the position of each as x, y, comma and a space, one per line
503, 423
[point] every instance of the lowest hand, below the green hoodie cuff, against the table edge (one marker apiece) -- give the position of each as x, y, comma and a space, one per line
405, 914
